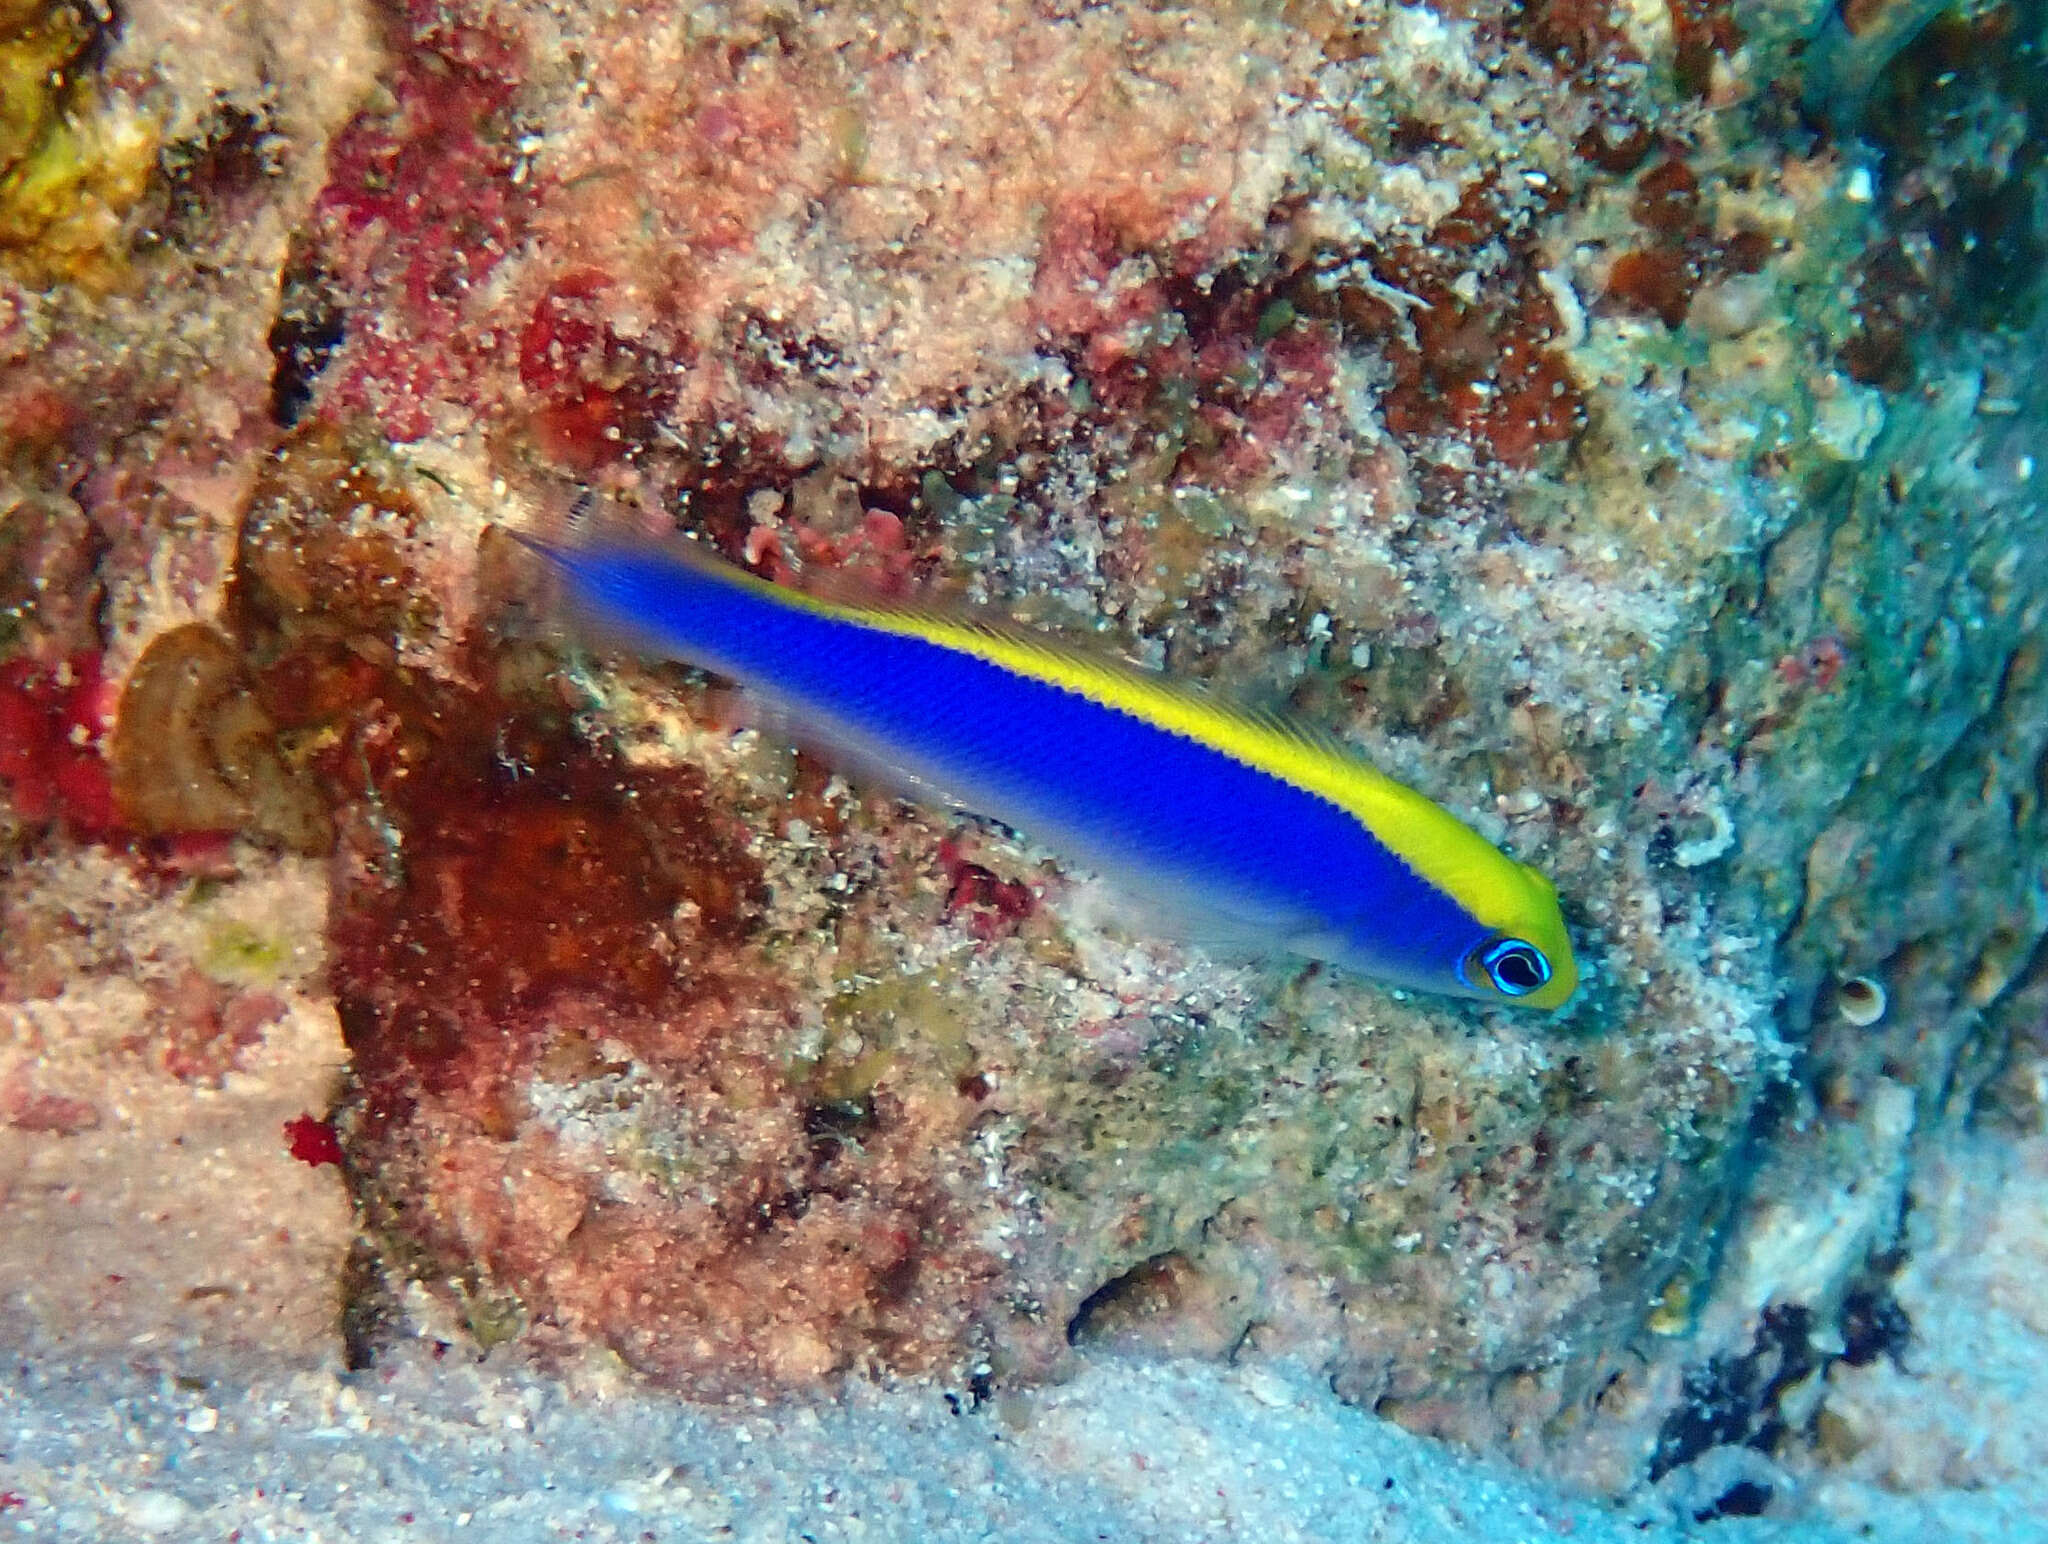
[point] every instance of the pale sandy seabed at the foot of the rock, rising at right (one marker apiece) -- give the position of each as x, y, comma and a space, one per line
433, 1443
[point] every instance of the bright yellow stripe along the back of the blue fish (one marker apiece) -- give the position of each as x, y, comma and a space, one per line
1428, 839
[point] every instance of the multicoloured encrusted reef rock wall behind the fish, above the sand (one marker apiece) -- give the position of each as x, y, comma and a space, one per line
1543, 396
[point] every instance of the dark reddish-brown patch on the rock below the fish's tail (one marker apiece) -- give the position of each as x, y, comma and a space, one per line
490, 867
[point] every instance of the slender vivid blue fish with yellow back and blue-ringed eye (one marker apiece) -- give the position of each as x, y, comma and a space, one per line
1248, 824
